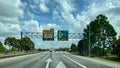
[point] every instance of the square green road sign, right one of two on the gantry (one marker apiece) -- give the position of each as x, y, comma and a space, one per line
62, 35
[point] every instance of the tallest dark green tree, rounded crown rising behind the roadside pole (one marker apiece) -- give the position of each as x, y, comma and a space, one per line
101, 35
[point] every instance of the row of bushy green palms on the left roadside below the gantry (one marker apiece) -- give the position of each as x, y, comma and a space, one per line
23, 44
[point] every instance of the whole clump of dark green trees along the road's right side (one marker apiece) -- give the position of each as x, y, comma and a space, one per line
100, 37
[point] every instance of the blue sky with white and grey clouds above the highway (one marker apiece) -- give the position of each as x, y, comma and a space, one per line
37, 15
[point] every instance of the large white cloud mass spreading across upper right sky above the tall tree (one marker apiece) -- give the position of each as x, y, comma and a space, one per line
79, 21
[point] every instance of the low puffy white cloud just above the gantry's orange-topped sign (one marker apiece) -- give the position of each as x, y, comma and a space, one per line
34, 26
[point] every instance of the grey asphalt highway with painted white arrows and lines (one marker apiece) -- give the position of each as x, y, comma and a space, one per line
49, 60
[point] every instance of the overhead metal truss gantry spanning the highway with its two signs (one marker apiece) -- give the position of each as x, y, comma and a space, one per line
49, 35
